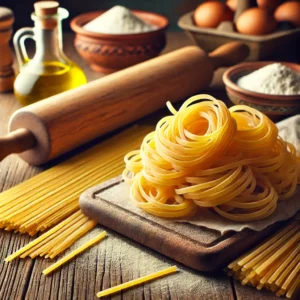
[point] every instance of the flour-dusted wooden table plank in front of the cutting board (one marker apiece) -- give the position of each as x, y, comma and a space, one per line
117, 260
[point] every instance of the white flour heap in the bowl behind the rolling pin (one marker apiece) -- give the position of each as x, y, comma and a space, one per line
118, 20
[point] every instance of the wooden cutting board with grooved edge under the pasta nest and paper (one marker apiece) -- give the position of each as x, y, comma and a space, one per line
196, 247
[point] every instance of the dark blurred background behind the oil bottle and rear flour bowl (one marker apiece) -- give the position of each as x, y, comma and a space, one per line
172, 9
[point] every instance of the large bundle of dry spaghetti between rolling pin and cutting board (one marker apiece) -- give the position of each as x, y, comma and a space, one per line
52, 196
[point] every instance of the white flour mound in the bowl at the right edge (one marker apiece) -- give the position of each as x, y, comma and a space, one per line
273, 79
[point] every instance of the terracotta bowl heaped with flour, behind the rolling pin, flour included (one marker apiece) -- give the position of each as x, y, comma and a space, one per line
118, 38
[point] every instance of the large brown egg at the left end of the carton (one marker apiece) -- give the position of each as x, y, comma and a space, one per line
211, 14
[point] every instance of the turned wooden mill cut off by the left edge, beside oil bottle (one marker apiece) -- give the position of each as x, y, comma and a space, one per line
7, 75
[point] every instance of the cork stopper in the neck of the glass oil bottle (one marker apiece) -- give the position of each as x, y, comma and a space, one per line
46, 12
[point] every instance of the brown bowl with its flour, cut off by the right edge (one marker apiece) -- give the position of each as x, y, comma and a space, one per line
271, 87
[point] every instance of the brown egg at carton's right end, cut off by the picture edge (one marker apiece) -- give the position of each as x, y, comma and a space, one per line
288, 12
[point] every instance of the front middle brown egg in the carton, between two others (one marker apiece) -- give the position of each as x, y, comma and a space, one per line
256, 21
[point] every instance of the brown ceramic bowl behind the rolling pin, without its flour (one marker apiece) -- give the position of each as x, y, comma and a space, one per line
108, 53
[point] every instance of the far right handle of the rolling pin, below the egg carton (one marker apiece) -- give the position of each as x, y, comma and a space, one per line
229, 54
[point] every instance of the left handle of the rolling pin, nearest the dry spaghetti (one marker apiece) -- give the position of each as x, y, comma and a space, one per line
16, 142
